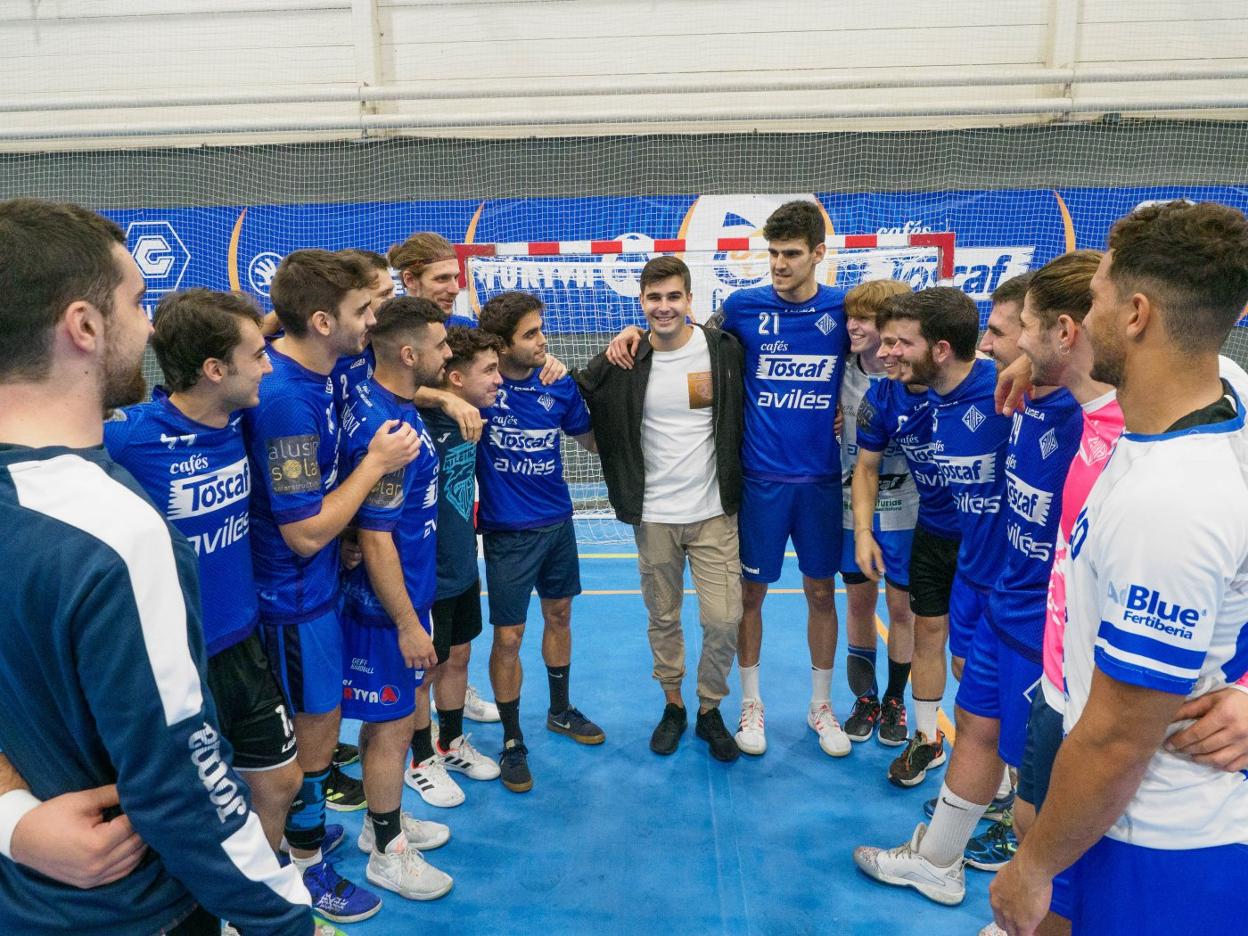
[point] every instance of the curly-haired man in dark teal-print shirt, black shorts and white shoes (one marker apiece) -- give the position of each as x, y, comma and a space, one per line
472, 375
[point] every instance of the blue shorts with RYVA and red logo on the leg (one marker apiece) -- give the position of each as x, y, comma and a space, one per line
378, 686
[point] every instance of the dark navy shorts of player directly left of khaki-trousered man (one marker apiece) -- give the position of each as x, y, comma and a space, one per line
520, 561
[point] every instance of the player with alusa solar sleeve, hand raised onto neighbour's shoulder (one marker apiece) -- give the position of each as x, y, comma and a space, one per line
298, 514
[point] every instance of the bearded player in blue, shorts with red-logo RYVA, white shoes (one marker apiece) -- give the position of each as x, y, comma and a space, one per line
388, 598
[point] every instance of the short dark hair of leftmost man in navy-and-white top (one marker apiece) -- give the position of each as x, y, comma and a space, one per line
52, 255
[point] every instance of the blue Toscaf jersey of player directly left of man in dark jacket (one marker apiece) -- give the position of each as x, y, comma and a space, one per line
519, 462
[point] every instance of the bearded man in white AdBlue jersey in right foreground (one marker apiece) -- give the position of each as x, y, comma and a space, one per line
1156, 598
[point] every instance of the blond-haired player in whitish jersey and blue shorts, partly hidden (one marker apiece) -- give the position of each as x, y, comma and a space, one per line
890, 526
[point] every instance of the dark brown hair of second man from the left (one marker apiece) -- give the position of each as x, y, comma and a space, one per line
194, 326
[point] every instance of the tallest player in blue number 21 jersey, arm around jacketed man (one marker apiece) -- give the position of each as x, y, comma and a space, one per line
796, 344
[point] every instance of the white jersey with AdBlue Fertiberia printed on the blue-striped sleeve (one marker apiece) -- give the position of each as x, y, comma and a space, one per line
1158, 597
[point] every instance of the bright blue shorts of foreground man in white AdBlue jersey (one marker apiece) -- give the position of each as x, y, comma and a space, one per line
1131, 890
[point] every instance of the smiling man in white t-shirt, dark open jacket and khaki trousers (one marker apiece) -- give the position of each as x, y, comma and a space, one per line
670, 435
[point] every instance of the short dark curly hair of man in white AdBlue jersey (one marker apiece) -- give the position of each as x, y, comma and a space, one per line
1191, 261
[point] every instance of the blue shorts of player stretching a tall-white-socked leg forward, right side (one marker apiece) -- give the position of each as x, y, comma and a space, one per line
999, 683
